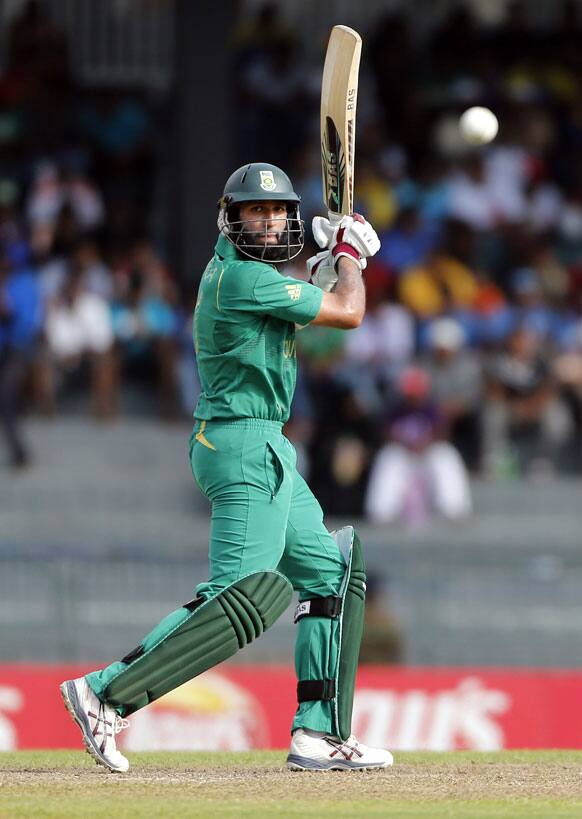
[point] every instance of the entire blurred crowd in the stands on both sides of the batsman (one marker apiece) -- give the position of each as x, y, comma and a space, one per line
469, 359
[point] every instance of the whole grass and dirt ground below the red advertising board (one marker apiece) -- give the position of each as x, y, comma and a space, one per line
459, 785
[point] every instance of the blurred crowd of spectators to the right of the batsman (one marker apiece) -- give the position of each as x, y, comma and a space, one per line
469, 359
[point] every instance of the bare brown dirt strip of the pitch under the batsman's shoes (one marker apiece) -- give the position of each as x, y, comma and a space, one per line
452, 781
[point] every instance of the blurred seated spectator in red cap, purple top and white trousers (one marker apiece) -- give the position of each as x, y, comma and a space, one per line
416, 472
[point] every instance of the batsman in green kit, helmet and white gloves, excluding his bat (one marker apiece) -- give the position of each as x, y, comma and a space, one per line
267, 536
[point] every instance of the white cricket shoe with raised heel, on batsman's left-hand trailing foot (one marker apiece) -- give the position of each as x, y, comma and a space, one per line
99, 723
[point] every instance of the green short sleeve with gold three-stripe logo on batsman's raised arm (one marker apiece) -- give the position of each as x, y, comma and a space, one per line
260, 289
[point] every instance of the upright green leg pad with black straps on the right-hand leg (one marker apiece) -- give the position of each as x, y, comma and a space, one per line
337, 685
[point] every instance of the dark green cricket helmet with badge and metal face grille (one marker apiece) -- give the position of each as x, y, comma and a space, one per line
256, 182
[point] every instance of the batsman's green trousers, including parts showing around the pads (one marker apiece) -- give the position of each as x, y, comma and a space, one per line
264, 516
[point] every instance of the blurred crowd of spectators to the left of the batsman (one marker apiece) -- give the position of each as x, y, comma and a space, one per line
87, 304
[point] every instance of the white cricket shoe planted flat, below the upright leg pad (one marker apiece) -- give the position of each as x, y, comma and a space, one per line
314, 751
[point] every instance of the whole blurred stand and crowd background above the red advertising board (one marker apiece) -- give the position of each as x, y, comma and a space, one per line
448, 427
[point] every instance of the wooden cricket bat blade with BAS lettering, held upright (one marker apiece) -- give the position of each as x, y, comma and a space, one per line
339, 92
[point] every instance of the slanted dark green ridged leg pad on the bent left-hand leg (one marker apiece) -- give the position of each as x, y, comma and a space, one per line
196, 637
